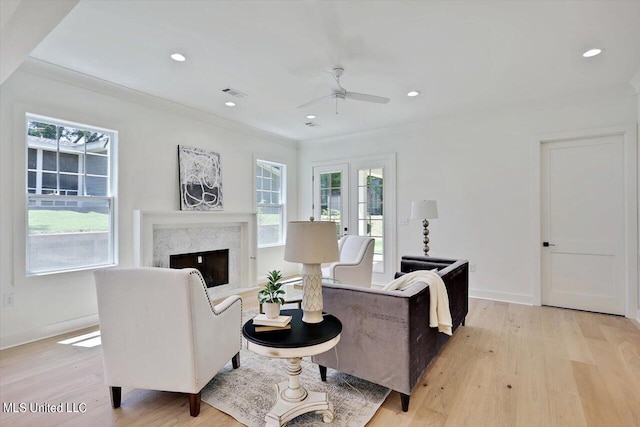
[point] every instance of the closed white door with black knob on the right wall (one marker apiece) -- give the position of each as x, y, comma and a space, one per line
583, 224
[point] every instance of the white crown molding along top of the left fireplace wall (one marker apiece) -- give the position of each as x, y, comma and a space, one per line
84, 81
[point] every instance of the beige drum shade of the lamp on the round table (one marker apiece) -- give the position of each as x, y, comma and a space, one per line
311, 242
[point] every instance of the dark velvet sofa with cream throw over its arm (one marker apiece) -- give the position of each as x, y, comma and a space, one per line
386, 338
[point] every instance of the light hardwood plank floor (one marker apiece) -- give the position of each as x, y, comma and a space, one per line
512, 365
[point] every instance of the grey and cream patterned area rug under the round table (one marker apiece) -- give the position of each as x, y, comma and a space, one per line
248, 393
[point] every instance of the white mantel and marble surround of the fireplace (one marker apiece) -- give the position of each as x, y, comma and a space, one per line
148, 225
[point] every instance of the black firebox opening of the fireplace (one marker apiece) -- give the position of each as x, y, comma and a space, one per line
213, 265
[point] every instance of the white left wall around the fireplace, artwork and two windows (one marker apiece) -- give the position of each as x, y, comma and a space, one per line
149, 132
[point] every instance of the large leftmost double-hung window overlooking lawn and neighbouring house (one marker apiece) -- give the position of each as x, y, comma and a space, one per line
70, 196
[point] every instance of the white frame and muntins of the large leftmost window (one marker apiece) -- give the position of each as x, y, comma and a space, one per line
110, 197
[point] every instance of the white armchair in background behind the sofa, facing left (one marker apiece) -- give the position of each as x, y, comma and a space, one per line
355, 266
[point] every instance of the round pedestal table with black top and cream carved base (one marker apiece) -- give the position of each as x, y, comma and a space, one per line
303, 339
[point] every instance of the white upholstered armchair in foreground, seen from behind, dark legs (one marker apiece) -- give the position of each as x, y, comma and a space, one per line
160, 331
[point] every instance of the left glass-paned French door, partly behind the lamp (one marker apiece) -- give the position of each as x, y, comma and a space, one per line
331, 195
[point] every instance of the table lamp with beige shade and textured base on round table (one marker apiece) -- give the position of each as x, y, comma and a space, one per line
311, 243
